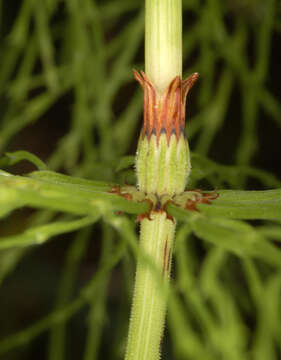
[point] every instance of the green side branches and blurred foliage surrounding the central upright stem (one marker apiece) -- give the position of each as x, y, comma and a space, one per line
225, 294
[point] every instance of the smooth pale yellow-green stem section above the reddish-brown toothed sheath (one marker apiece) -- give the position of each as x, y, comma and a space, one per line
163, 41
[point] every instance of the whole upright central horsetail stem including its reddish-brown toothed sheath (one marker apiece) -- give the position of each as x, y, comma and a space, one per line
163, 167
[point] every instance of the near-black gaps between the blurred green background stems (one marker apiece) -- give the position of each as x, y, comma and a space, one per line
29, 292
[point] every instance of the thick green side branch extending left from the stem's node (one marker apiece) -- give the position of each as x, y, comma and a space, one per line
50, 190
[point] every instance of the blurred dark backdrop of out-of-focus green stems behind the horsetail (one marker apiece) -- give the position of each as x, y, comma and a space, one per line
67, 94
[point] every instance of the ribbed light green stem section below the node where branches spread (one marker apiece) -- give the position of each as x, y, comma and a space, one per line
149, 302
